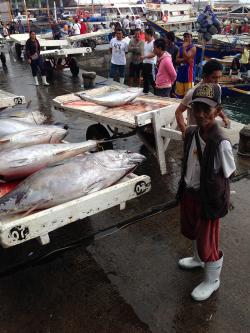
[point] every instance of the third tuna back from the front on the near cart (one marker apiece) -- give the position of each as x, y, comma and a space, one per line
32, 136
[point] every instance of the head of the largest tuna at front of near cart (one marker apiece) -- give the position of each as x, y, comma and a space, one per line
122, 159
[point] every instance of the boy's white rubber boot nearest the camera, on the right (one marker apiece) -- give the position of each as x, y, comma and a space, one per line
211, 282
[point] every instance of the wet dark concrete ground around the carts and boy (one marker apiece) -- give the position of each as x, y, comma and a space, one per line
128, 281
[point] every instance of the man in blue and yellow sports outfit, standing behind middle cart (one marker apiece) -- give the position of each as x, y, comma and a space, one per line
186, 70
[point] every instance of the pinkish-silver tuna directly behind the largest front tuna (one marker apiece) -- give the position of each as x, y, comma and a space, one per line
22, 162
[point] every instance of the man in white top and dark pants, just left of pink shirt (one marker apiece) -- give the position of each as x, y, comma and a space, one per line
149, 60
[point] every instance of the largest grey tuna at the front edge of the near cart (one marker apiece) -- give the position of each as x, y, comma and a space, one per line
69, 180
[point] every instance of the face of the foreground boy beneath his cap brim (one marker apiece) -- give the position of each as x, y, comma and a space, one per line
204, 114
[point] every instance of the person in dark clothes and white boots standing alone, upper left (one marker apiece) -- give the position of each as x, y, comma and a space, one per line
32, 49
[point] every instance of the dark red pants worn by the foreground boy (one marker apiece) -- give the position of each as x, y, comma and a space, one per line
193, 226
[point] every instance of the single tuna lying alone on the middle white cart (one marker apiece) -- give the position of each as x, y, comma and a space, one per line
114, 98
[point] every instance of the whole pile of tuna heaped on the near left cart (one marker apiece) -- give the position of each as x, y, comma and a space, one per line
56, 171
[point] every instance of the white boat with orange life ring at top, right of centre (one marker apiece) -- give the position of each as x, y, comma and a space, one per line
170, 17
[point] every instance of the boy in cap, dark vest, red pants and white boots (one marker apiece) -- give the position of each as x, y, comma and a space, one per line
204, 190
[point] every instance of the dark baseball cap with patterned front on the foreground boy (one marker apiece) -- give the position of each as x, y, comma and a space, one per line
208, 93
